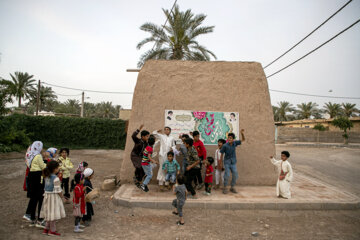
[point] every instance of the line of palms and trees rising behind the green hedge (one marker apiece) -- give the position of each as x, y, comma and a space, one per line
22, 87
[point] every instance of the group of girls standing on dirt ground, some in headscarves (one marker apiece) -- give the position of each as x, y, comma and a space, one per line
45, 179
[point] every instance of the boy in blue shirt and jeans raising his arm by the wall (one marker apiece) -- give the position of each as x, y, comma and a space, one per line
229, 149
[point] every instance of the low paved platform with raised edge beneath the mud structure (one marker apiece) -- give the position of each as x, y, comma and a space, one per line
307, 194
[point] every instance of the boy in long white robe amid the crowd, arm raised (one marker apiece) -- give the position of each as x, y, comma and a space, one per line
167, 142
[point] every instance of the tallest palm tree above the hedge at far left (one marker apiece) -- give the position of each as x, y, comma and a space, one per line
21, 85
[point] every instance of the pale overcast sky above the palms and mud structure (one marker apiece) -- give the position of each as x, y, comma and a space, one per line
89, 44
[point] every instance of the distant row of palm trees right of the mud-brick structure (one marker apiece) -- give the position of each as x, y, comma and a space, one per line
286, 111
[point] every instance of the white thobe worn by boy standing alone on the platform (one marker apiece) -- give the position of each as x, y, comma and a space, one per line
283, 186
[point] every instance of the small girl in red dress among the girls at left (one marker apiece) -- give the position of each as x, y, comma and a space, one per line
78, 201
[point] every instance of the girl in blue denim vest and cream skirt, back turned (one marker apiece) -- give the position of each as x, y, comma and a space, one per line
53, 208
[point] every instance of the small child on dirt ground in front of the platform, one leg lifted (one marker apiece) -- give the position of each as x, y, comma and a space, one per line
179, 202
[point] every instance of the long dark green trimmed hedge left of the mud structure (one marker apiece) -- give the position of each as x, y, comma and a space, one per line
68, 132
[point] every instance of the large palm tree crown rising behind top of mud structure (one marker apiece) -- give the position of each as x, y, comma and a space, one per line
176, 40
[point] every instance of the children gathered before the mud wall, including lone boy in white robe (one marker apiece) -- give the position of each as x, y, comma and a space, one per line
194, 157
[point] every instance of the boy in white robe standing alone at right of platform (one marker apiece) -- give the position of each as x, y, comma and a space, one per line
285, 175
